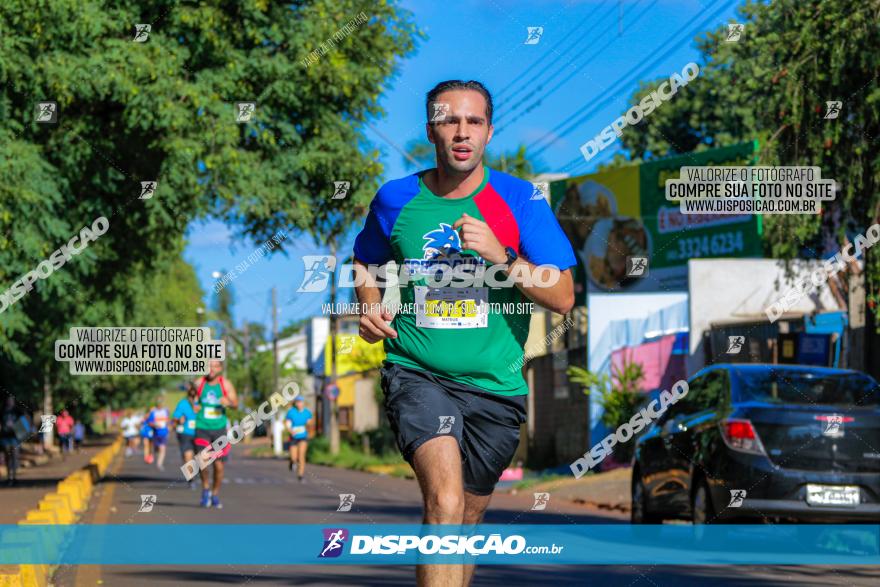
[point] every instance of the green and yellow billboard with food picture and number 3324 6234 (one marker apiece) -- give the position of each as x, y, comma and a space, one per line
629, 238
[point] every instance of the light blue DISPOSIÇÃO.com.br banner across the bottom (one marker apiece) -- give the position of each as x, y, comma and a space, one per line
408, 544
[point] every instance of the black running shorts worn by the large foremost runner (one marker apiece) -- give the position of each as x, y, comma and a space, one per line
422, 406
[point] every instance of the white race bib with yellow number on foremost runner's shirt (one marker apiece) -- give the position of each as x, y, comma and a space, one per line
451, 307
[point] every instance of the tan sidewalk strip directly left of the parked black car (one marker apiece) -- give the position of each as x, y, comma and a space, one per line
608, 491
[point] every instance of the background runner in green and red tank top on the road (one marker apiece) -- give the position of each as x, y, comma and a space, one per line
215, 394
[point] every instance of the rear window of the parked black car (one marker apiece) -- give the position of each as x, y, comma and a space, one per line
784, 386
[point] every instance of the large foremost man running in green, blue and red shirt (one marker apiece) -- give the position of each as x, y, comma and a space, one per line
454, 390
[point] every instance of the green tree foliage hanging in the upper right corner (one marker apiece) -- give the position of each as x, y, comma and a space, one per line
772, 85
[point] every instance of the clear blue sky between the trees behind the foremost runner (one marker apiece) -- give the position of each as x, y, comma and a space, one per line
602, 55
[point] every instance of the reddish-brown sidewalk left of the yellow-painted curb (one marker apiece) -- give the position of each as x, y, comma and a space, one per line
35, 482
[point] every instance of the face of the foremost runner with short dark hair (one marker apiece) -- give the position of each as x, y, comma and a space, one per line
461, 136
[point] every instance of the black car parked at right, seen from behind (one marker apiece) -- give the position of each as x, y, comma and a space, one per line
760, 443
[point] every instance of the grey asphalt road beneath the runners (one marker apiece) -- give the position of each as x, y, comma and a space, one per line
263, 491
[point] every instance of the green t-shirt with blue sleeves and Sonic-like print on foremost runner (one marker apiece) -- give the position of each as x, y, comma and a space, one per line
472, 335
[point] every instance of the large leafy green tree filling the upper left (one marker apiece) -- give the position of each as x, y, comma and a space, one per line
164, 111
